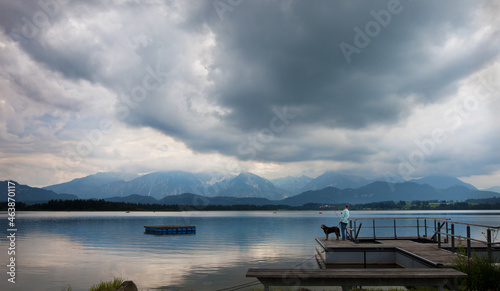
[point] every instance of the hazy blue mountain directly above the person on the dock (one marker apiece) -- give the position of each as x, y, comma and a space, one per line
337, 180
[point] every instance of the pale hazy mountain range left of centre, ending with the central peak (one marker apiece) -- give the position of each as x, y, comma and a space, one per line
162, 184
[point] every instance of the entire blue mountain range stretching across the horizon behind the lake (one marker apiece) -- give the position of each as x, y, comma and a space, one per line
171, 187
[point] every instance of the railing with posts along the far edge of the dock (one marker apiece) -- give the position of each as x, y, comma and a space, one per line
443, 230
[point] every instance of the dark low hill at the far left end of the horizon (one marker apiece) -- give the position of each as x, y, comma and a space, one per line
32, 195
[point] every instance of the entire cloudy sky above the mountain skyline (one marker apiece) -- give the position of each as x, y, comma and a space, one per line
373, 88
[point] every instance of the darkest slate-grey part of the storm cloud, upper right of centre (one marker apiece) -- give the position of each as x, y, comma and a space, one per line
293, 58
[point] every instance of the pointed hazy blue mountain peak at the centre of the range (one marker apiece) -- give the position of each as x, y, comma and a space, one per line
251, 185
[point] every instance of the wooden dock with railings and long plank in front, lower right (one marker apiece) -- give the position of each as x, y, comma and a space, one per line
406, 251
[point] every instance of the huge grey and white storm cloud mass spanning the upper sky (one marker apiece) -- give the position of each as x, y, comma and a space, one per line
268, 81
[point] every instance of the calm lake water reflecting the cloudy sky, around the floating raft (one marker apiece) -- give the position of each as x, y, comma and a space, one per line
78, 249
